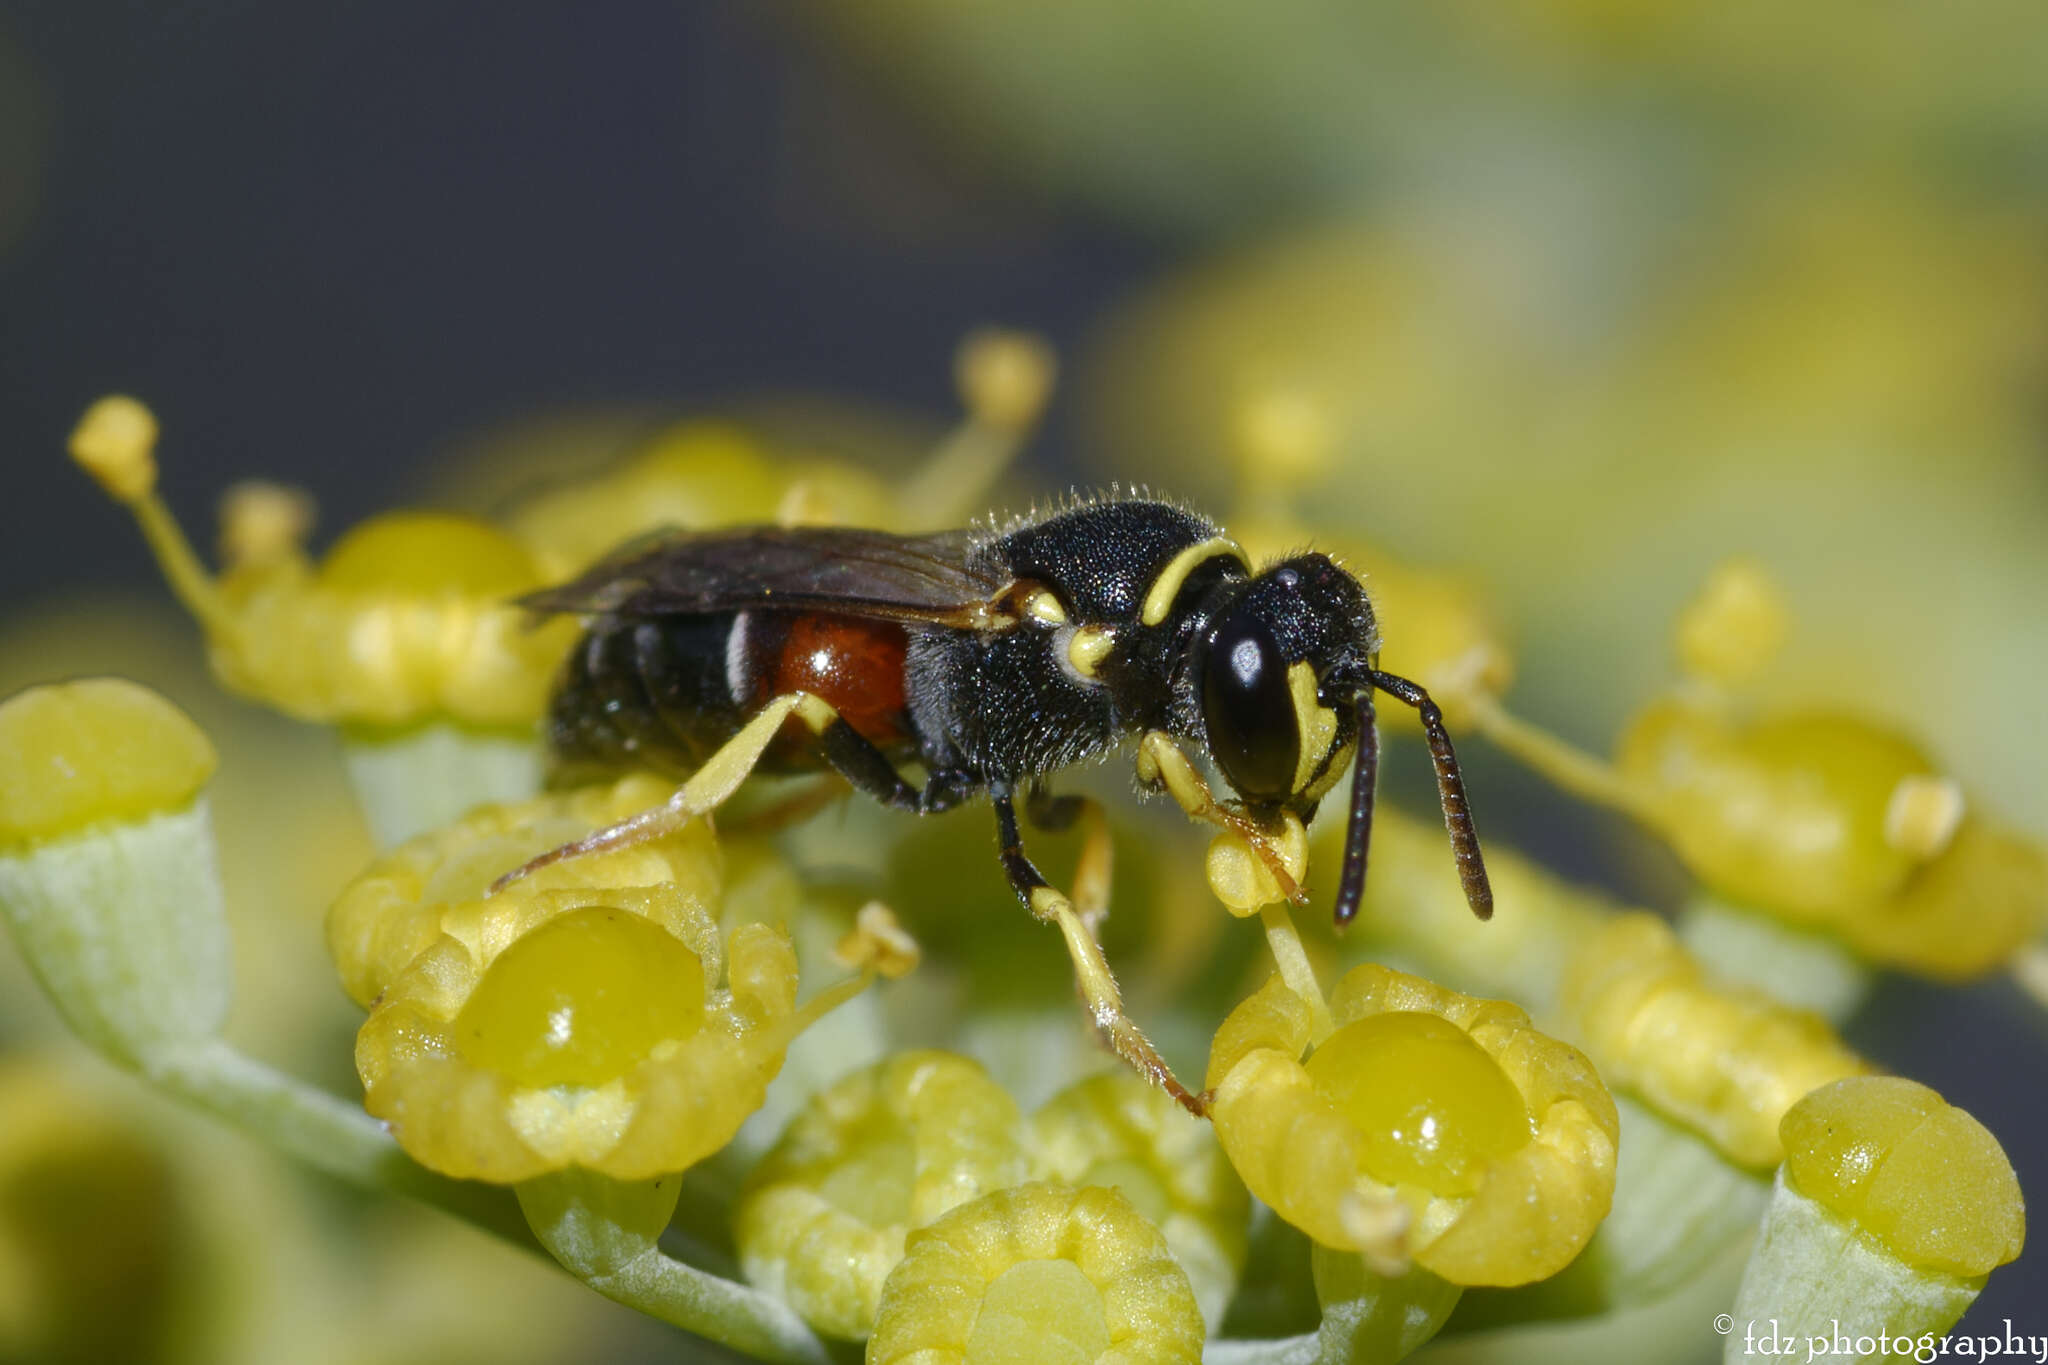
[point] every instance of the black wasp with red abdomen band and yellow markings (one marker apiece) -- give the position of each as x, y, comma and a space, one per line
992, 658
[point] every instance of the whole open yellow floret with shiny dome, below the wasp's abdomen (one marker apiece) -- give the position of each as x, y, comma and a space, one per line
507, 1077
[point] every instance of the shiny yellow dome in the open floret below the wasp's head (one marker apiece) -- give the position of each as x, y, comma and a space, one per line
1433, 1106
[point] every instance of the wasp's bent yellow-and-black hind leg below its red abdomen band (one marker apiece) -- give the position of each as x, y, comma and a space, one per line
722, 775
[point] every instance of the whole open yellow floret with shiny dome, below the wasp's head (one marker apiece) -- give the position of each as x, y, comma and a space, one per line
1431, 1127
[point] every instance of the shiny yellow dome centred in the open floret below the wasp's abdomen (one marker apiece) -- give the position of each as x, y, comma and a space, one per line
583, 1000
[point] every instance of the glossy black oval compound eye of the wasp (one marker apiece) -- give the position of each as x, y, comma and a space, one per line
1248, 709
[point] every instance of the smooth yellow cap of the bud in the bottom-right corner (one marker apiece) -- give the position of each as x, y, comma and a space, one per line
1910, 1170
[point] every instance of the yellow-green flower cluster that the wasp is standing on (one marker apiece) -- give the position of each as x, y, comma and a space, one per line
630, 1032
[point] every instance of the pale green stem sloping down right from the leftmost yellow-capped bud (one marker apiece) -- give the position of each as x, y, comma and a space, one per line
321, 1131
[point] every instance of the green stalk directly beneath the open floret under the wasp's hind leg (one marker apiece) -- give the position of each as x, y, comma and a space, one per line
605, 1231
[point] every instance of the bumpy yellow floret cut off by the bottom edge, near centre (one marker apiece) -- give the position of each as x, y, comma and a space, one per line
1039, 1274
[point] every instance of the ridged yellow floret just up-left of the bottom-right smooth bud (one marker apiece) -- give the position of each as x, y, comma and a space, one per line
1725, 1061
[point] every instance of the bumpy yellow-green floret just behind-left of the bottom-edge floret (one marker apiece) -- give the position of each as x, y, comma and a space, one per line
871, 1159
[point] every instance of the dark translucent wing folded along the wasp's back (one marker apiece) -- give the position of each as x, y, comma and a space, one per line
787, 568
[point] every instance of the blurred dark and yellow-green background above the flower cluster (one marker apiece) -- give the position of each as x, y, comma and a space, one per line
1562, 251
